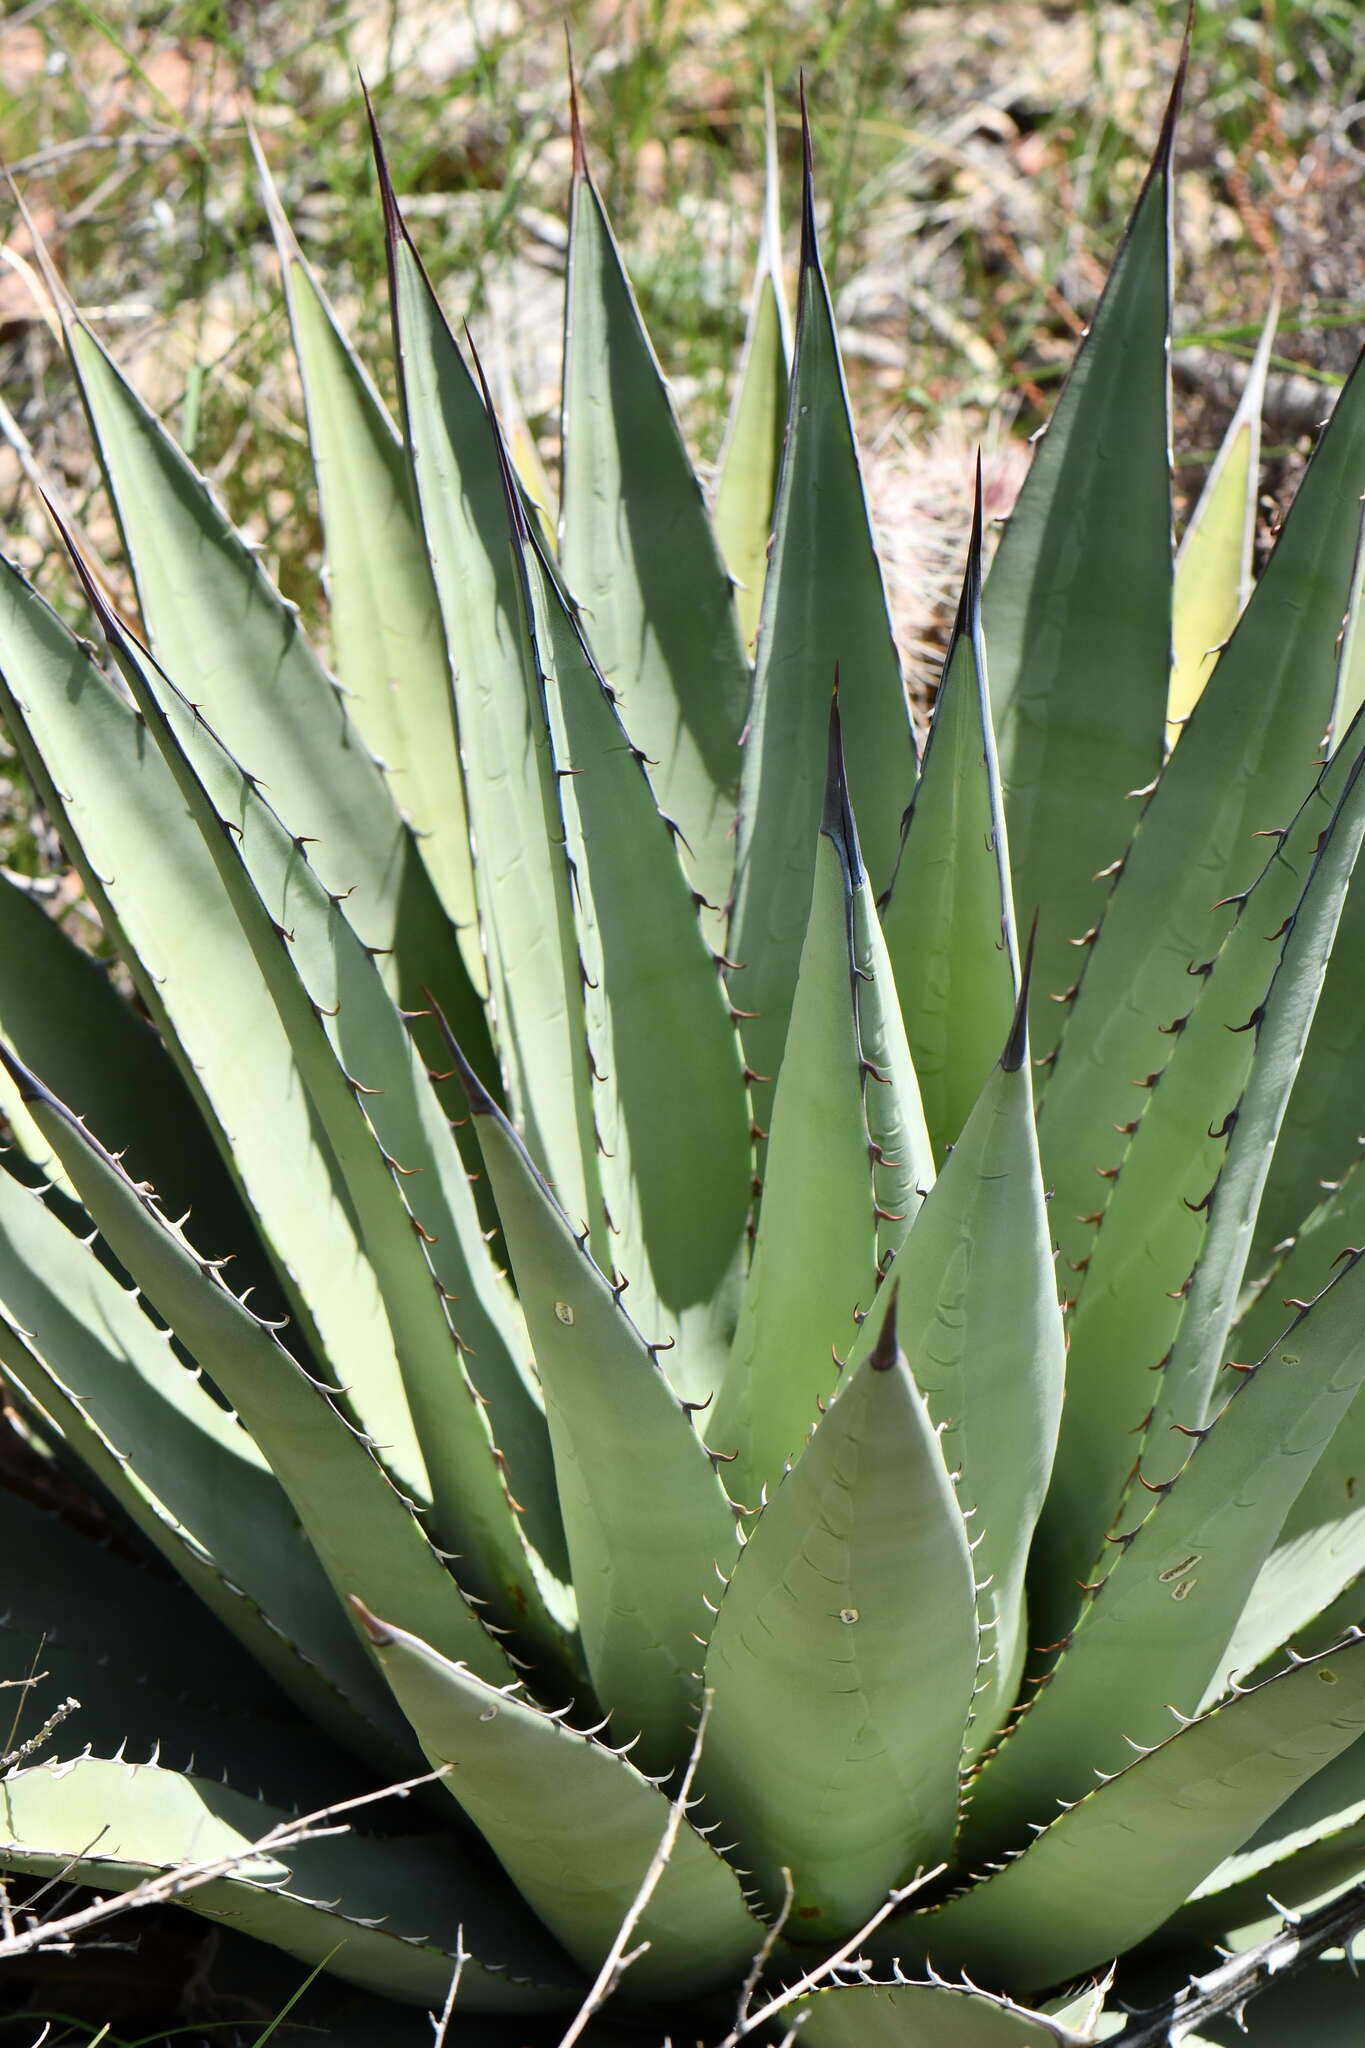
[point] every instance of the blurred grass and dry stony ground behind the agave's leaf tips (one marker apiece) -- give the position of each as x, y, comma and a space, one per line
975, 171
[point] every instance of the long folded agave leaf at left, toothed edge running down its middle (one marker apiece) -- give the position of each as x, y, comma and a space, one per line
396, 1154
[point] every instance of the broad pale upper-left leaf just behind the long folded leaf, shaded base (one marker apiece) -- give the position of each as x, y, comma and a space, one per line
222, 628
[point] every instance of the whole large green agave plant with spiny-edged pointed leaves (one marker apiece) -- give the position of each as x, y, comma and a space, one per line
658, 1416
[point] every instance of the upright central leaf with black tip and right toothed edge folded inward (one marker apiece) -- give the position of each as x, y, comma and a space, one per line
822, 1234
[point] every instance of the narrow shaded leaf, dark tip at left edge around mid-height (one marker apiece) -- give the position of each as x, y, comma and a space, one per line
361, 1529
